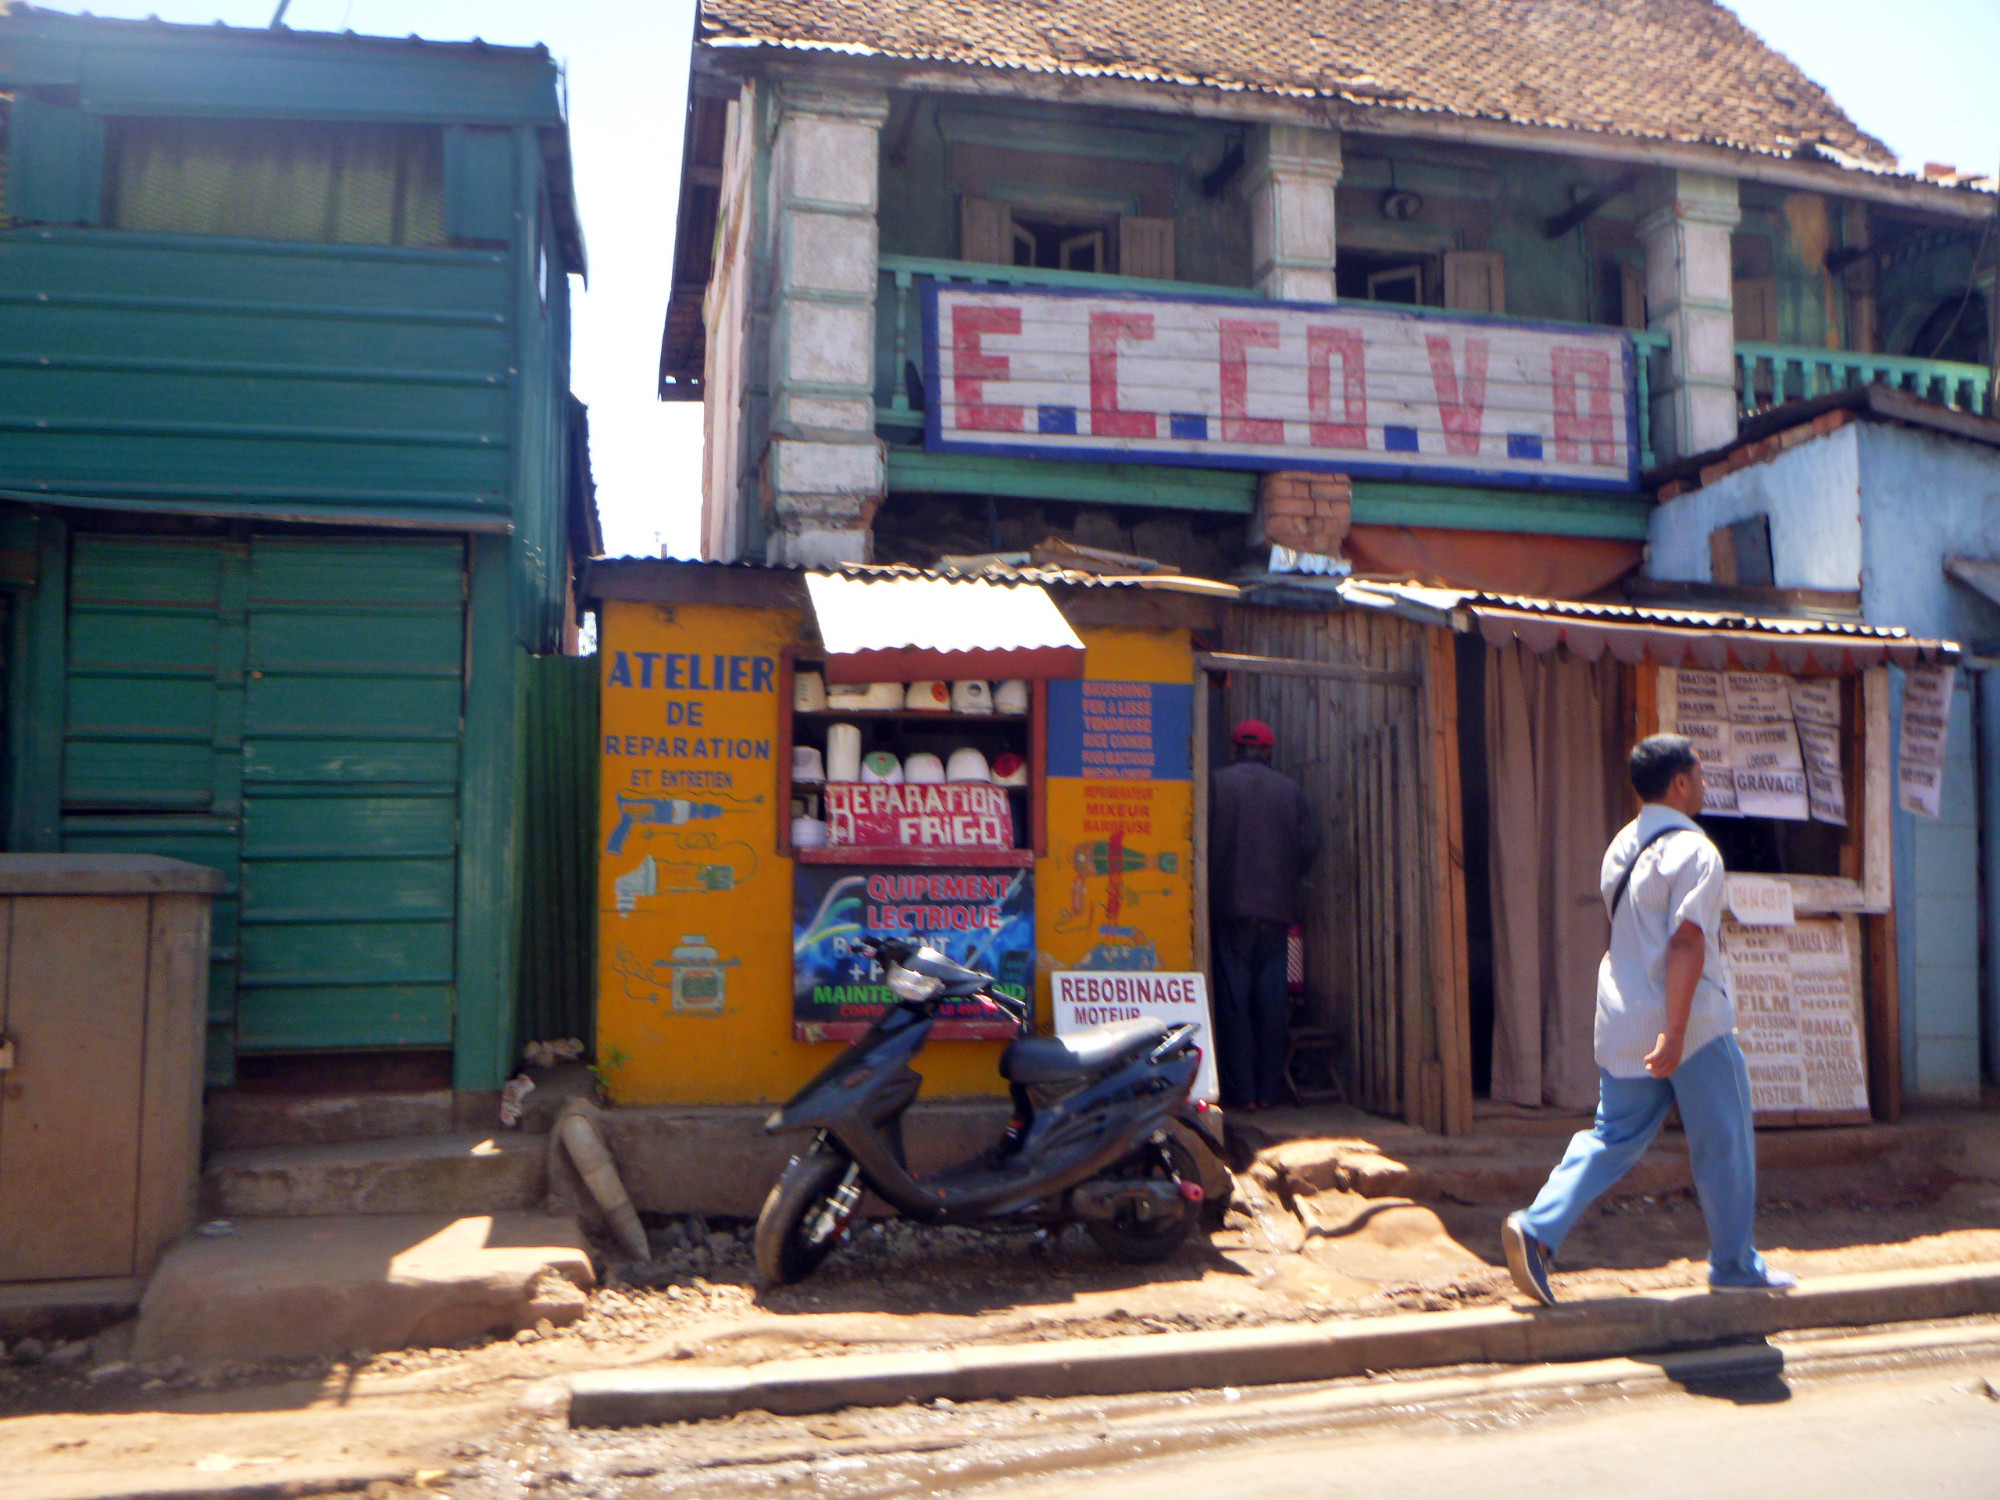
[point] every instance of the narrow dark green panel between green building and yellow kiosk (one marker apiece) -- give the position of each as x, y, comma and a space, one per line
559, 849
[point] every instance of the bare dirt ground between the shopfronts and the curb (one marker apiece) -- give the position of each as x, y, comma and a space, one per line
85, 1423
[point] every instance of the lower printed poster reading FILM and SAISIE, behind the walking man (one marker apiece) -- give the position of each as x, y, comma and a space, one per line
1799, 1015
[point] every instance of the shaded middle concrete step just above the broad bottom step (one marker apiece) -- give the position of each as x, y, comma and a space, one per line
463, 1173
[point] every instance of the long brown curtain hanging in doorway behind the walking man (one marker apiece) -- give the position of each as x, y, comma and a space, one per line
1557, 797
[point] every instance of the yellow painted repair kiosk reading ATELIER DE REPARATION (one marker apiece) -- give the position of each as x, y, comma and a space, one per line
1005, 765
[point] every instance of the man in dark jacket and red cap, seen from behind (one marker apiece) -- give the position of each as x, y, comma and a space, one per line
1261, 843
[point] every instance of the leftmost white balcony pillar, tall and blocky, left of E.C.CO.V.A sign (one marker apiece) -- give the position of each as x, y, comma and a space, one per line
825, 471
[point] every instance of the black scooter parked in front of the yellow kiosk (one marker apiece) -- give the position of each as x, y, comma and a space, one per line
1089, 1139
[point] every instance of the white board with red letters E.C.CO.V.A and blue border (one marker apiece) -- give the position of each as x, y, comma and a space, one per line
1279, 385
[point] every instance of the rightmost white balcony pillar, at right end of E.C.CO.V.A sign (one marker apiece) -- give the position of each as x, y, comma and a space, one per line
1685, 227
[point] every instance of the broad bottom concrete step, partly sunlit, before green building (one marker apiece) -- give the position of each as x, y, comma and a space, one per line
285, 1289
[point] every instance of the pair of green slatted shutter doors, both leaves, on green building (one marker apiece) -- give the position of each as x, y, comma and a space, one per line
285, 711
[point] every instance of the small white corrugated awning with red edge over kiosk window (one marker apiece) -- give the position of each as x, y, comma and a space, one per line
915, 629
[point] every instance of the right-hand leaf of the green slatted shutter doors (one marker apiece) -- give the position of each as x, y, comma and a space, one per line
351, 795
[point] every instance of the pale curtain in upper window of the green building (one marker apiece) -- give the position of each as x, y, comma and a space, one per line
279, 181
